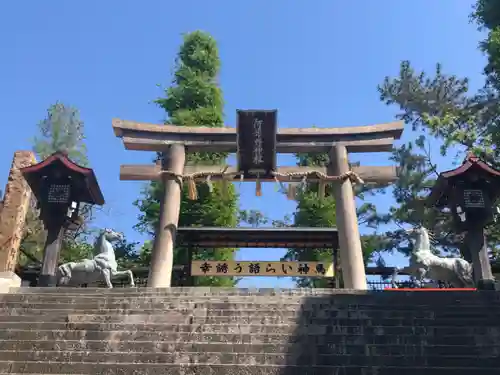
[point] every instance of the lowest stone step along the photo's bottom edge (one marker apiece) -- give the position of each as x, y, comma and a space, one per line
216, 369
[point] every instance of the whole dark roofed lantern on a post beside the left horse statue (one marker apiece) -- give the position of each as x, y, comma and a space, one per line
60, 187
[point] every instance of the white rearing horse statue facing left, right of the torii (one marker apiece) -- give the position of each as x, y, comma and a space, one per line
426, 265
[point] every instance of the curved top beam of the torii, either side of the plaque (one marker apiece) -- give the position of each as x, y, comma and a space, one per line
151, 137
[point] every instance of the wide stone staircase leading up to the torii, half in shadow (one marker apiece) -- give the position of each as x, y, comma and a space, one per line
205, 331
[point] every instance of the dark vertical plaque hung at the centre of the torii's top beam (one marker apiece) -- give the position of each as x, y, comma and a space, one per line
256, 132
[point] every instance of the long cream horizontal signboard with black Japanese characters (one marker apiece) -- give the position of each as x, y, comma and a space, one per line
261, 268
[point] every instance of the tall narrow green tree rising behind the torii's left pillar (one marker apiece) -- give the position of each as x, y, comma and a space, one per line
194, 99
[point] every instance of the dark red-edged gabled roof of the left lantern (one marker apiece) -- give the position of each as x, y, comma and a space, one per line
84, 179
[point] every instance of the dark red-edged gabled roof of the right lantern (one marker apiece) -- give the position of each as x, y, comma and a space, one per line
471, 166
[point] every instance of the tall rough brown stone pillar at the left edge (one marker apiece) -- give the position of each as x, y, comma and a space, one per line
15, 205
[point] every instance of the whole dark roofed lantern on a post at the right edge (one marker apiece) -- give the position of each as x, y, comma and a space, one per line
470, 192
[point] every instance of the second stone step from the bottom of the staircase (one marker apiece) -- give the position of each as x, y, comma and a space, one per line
250, 359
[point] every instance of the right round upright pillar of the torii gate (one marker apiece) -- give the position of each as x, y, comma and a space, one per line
351, 255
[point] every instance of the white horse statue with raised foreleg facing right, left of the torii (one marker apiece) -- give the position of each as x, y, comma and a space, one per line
102, 266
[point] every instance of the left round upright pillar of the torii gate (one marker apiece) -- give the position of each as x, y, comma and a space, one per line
160, 272
